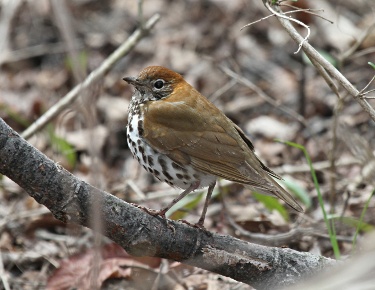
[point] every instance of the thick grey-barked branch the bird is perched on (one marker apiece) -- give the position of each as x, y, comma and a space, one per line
70, 200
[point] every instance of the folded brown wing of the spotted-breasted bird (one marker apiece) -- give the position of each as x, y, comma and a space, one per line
210, 142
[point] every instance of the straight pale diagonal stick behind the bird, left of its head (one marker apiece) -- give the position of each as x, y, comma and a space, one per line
93, 77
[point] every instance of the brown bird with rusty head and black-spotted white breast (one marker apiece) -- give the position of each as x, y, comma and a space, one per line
183, 139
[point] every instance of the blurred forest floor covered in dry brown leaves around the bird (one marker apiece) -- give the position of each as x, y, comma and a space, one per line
48, 47
